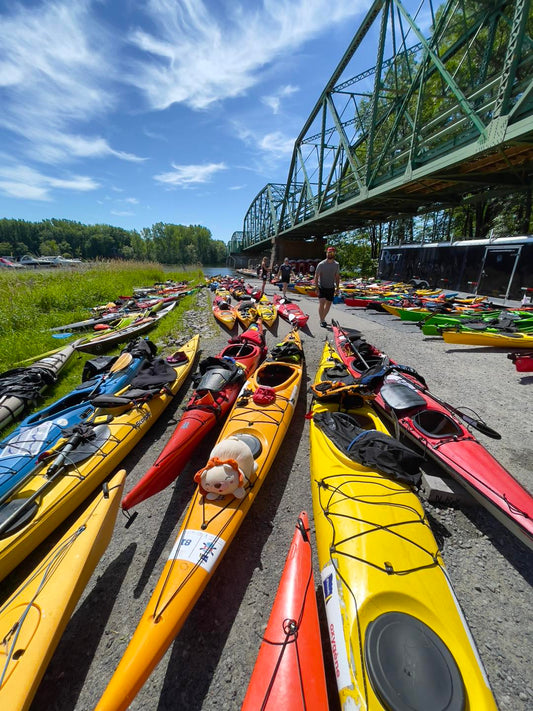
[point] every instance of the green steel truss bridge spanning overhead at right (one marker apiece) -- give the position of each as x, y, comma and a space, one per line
443, 113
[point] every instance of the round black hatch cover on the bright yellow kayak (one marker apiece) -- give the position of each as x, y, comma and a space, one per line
410, 667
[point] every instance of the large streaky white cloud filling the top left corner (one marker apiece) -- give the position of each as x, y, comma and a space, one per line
56, 69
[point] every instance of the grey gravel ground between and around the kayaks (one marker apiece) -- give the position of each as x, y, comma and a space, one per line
210, 662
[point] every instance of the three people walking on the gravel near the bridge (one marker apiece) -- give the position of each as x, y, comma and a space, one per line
326, 280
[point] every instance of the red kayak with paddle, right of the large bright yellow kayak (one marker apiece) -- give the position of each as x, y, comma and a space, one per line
437, 427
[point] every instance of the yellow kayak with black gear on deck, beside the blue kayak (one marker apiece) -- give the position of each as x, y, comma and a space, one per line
83, 461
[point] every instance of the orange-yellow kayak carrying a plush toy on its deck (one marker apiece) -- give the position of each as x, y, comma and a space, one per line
255, 428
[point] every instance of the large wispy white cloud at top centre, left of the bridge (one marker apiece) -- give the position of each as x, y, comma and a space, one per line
191, 57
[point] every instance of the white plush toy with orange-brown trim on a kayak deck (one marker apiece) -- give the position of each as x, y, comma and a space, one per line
230, 463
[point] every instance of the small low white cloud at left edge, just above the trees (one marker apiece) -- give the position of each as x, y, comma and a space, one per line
23, 182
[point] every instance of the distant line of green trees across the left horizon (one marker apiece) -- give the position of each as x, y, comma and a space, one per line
163, 243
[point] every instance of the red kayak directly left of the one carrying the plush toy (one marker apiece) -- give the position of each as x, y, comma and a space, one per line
216, 388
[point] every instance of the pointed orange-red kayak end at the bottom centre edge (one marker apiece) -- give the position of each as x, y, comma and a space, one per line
289, 670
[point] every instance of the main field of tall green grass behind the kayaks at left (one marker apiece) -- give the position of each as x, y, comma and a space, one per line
32, 302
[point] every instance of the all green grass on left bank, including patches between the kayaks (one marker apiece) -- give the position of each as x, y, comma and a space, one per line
33, 302
